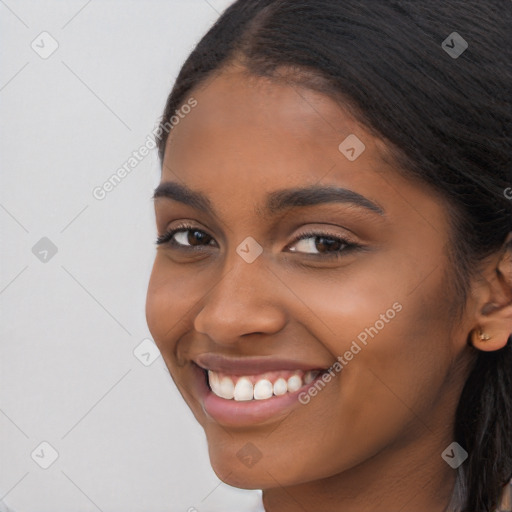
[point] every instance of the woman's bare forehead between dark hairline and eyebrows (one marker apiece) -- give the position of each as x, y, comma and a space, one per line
248, 137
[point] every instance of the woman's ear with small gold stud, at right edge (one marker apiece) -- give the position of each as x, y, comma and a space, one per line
493, 320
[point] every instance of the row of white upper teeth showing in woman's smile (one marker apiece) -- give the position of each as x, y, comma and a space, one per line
258, 387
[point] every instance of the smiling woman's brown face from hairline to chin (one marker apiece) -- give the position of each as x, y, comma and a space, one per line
250, 169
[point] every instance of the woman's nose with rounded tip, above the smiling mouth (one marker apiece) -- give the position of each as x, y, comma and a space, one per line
245, 300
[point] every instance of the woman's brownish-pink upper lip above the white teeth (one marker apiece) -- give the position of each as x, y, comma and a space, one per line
249, 365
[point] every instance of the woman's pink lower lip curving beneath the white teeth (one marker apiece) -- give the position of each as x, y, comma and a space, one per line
233, 413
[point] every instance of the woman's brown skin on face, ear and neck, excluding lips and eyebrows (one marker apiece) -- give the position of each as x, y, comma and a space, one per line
372, 438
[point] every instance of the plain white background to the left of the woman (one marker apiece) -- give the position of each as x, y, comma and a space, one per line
68, 376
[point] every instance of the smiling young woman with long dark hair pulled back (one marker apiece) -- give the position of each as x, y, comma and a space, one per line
332, 289
